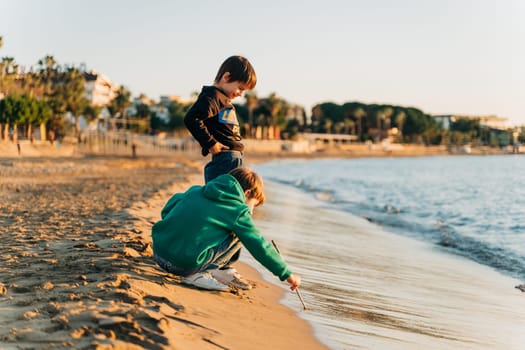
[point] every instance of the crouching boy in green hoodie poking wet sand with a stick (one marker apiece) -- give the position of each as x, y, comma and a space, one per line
202, 229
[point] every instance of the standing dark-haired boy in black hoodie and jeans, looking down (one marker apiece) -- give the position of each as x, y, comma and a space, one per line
212, 119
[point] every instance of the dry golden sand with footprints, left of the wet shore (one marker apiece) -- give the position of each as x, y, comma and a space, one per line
77, 269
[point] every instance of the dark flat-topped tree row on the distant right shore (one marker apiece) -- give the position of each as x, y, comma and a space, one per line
405, 124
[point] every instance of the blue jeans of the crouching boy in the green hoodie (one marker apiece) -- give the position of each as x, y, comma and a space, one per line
223, 256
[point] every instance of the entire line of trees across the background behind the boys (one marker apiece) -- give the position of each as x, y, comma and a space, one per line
44, 95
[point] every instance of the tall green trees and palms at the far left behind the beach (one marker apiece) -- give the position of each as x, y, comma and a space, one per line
44, 95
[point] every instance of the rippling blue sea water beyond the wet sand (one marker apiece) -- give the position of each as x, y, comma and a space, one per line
449, 202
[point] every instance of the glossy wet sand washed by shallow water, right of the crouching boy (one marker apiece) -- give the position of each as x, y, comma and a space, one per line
388, 291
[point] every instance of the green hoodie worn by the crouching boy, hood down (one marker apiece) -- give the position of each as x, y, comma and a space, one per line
194, 222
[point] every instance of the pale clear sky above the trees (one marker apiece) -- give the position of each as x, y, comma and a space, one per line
442, 56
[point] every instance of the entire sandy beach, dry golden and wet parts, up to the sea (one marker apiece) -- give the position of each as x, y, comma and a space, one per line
78, 271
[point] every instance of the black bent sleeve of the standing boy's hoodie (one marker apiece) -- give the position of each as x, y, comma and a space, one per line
201, 110
